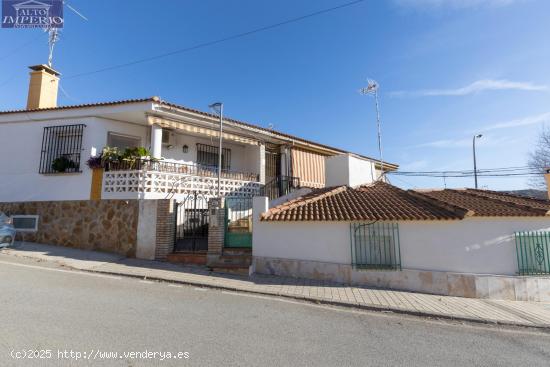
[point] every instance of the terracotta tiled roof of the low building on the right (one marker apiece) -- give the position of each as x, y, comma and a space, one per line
382, 201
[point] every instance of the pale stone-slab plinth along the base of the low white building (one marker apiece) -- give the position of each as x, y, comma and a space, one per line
498, 287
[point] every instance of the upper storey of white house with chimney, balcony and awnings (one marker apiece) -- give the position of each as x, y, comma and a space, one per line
183, 144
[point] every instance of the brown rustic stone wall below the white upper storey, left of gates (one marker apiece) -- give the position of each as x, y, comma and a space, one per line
131, 228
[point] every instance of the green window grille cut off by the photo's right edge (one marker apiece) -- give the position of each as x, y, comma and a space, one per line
533, 252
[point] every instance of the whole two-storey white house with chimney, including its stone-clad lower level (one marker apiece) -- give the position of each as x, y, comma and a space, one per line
50, 156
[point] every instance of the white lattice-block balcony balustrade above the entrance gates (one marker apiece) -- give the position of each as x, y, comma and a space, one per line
149, 179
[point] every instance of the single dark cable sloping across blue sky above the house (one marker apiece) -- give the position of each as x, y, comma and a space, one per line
214, 42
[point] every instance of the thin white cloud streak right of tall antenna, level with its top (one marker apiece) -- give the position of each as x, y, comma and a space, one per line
475, 87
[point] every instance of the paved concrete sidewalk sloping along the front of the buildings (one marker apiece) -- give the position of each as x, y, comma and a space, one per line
532, 314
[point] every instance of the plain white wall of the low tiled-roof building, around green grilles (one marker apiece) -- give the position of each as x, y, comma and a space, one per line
473, 245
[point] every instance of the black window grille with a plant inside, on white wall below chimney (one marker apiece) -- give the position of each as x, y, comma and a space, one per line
61, 149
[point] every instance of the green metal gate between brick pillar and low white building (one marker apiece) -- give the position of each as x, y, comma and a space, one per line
238, 222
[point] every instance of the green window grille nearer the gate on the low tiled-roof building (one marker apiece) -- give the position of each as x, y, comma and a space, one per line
375, 246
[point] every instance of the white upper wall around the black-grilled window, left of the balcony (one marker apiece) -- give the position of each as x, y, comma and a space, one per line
21, 144
